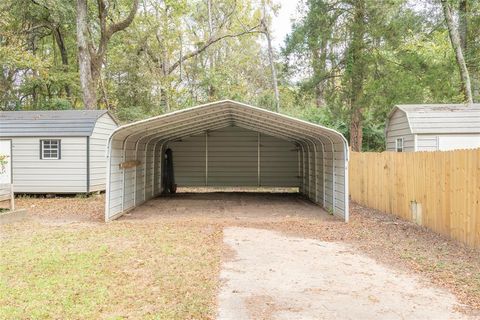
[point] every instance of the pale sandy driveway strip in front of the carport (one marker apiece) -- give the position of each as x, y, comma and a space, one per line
271, 276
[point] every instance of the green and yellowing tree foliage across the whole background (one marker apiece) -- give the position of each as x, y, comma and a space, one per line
407, 58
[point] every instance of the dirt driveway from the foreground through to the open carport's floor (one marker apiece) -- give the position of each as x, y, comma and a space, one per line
268, 275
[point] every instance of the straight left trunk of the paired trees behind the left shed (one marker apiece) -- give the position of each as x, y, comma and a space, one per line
84, 58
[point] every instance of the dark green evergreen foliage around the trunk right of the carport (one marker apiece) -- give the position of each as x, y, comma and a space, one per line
407, 55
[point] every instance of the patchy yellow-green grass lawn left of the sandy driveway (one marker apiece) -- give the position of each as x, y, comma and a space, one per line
113, 271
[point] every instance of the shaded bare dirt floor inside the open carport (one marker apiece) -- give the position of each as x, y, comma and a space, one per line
228, 207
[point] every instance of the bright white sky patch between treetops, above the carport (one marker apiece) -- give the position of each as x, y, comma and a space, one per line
281, 24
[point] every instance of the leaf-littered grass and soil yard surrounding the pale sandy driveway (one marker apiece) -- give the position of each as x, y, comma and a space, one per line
166, 266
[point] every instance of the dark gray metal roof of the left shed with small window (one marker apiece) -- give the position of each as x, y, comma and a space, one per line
48, 123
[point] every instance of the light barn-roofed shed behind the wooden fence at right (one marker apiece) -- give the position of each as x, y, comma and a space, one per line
433, 127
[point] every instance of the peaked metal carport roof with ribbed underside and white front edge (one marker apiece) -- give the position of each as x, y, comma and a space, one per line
312, 138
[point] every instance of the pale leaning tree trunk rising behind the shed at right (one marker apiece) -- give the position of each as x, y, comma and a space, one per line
457, 47
